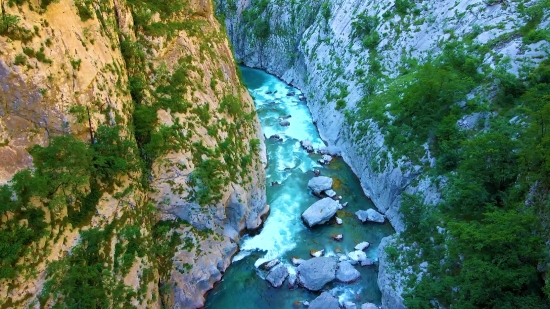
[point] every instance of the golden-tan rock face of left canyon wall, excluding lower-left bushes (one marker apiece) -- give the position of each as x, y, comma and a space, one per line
68, 68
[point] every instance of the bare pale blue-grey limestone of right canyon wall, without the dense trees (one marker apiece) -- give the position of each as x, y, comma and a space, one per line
312, 45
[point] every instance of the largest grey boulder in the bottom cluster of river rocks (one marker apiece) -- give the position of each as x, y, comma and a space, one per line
314, 273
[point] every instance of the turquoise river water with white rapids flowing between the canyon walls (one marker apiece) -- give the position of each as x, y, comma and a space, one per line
284, 235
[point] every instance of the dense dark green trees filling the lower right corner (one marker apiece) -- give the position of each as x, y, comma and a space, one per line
494, 209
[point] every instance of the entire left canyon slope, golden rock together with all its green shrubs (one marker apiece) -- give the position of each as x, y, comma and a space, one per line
127, 113
